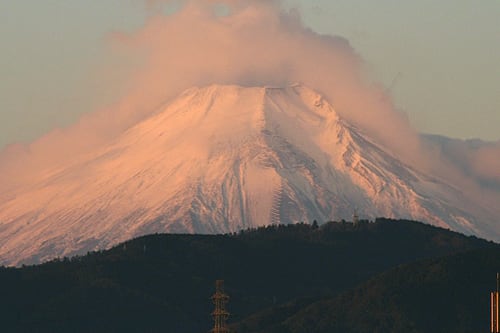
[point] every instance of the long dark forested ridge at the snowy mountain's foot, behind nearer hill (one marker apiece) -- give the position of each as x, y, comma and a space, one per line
163, 283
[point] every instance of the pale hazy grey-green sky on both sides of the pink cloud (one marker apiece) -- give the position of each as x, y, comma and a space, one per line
439, 59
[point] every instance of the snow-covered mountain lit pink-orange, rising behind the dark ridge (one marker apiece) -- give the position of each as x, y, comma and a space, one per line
219, 159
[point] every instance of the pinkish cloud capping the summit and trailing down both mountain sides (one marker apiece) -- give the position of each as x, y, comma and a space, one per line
243, 42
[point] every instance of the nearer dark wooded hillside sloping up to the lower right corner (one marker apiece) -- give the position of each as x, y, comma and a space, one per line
449, 294
